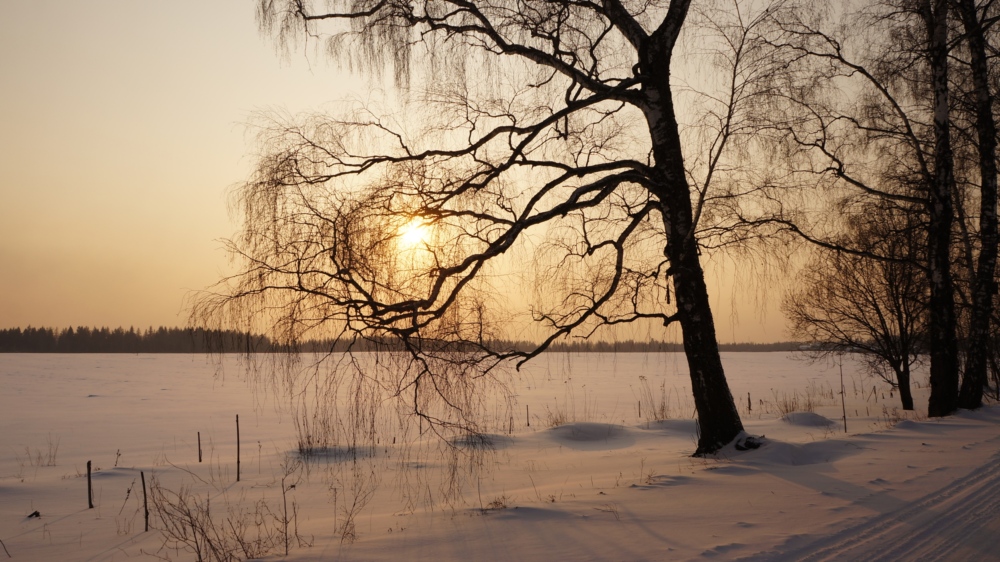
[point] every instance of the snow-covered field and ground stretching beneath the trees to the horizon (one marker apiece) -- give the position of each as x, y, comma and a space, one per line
609, 482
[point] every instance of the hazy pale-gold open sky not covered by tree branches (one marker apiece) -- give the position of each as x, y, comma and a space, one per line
121, 132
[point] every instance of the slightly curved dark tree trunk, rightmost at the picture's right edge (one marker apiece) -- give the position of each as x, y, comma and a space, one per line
984, 284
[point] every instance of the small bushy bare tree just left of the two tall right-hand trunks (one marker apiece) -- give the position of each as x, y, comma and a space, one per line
871, 302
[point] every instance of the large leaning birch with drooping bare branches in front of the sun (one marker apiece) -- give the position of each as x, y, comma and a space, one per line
542, 139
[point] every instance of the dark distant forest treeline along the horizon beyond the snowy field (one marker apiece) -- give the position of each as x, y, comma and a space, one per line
199, 340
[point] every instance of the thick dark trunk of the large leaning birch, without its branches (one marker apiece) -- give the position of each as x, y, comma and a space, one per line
718, 420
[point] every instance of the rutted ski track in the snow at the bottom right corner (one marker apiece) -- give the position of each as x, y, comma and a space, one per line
956, 522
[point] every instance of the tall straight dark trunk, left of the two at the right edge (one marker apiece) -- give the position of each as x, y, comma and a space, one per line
944, 347
